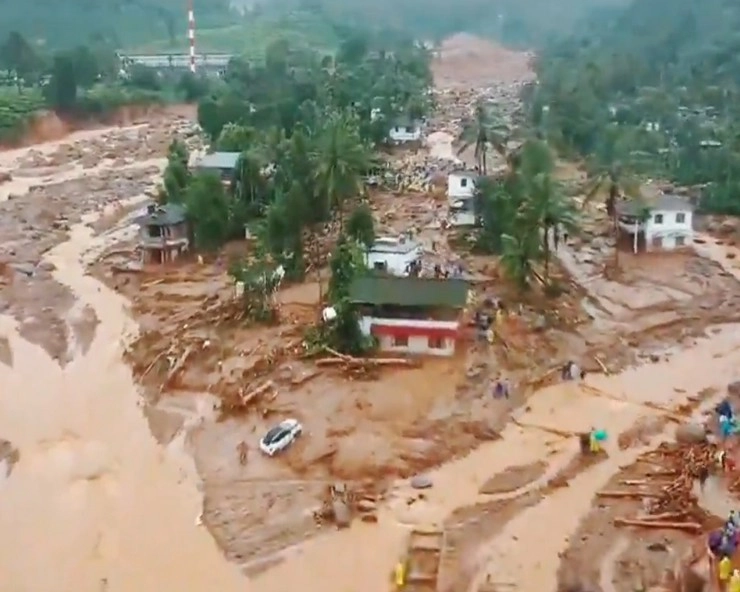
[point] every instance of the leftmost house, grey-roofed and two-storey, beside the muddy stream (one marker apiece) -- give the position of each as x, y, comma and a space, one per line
163, 233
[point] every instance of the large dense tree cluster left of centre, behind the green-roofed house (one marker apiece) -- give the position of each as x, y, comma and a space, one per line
307, 126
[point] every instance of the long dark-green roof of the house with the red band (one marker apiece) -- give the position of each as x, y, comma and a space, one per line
409, 291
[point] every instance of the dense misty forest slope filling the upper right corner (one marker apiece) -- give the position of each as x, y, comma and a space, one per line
654, 91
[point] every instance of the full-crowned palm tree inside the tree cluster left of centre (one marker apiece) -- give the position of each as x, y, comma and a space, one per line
341, 159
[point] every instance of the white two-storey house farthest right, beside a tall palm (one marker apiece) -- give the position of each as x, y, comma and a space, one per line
665, 223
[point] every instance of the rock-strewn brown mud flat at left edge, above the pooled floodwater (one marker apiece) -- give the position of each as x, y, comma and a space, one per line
49, 189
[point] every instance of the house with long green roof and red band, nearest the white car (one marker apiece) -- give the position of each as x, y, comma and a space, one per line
411, 315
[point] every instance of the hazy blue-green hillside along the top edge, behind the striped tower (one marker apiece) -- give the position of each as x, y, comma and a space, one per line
162, 24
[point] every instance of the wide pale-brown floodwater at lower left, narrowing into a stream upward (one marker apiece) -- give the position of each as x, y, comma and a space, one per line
94, 503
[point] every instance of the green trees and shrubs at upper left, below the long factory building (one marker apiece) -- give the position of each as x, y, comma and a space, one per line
85, 81
